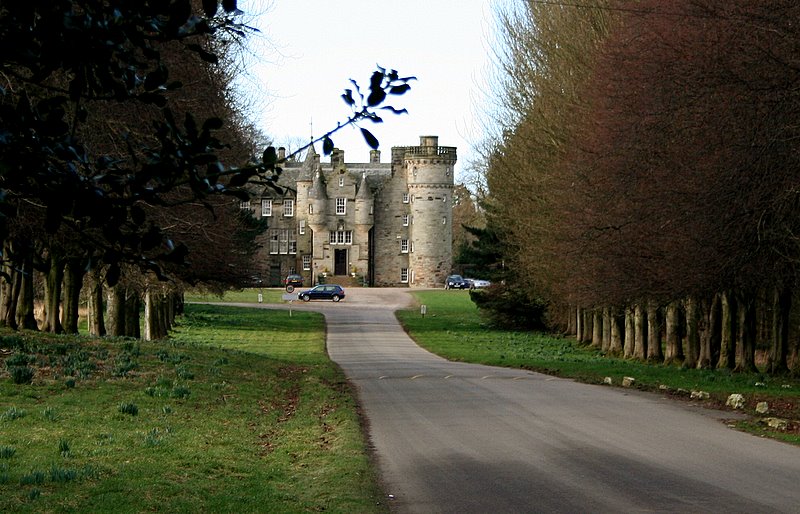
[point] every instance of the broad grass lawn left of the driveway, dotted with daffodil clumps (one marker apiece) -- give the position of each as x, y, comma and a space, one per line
241, 411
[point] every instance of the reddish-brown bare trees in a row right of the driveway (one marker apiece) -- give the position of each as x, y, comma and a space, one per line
655, 148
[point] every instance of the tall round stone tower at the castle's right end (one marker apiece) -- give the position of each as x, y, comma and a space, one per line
429, 172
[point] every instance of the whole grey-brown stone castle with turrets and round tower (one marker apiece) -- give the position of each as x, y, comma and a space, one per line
382, 224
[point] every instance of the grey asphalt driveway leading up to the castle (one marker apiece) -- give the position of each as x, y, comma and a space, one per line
454, 437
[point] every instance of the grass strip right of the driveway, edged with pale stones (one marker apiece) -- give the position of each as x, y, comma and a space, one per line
453, 328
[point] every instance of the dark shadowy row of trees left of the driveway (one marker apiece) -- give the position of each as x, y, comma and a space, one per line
111, 154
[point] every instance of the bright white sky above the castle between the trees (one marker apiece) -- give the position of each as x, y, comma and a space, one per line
309, 50
